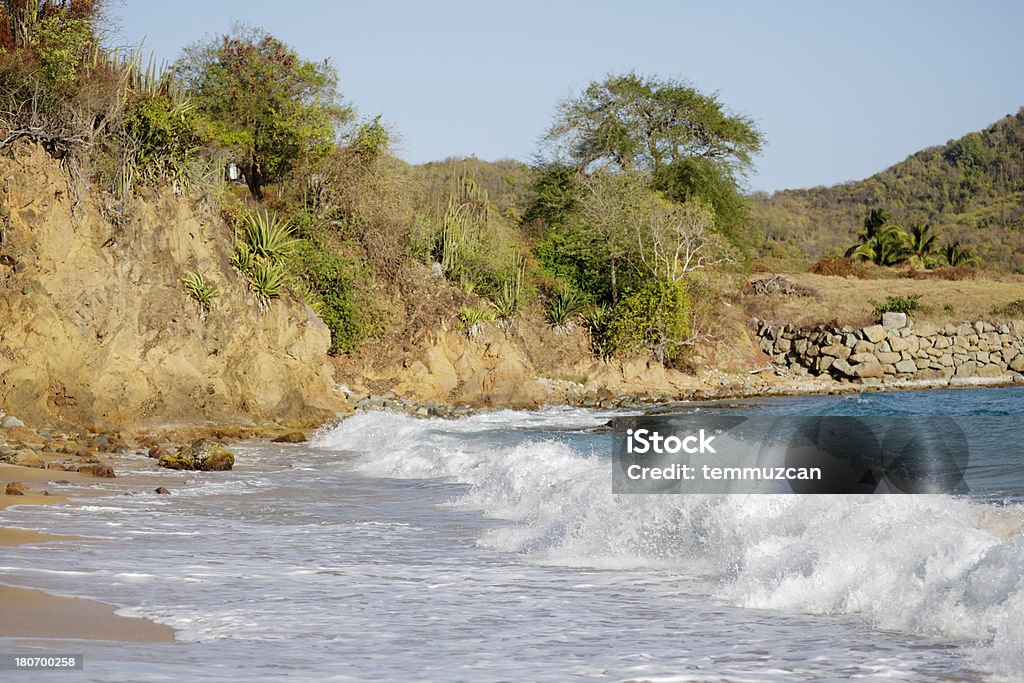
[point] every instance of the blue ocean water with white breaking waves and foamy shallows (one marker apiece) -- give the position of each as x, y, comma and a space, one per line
491, 548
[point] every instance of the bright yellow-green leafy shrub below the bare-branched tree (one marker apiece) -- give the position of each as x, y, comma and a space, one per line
654, 317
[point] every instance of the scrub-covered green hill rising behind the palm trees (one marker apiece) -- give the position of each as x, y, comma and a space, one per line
970, 190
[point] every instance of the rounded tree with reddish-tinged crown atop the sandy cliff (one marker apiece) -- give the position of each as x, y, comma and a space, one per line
272, 108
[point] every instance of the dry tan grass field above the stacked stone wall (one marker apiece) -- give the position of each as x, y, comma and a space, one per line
847, 301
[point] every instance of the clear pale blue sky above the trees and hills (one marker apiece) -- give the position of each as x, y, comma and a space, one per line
841, 91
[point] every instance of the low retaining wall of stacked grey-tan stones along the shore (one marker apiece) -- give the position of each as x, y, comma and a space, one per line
899, 351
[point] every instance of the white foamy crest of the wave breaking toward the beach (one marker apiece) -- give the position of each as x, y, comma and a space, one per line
924, 565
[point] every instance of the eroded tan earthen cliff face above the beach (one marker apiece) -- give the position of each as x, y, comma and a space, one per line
97, 328
